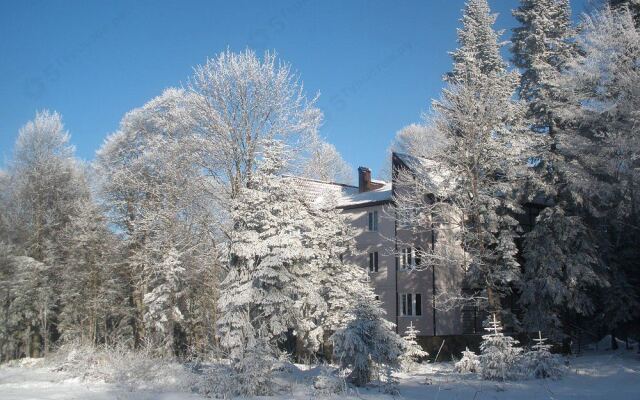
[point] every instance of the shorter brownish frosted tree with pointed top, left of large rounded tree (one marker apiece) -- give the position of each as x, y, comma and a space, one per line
93, 295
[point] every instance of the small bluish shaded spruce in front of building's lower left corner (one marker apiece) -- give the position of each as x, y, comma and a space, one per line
368, 341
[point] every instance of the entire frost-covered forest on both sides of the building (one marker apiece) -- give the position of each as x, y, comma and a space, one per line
185, 238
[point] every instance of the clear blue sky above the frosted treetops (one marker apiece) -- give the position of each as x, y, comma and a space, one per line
375, 63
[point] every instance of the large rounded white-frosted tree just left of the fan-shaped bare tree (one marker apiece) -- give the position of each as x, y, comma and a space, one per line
157, 195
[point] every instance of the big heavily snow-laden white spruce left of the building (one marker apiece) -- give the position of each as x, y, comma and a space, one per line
268, 284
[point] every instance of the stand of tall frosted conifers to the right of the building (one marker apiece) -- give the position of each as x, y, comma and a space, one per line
554, 138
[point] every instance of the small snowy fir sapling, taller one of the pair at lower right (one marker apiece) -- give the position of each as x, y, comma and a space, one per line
499, 355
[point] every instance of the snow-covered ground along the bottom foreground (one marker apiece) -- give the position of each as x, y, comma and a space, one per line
597, 375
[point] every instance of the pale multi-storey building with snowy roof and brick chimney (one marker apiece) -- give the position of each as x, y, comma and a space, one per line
406, 287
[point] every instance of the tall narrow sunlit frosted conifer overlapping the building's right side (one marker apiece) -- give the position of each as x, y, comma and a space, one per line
484, 132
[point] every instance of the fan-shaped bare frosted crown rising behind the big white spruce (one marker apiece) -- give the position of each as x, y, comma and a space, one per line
239, 101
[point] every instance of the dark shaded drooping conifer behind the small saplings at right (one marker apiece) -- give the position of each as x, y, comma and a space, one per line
561, 270
